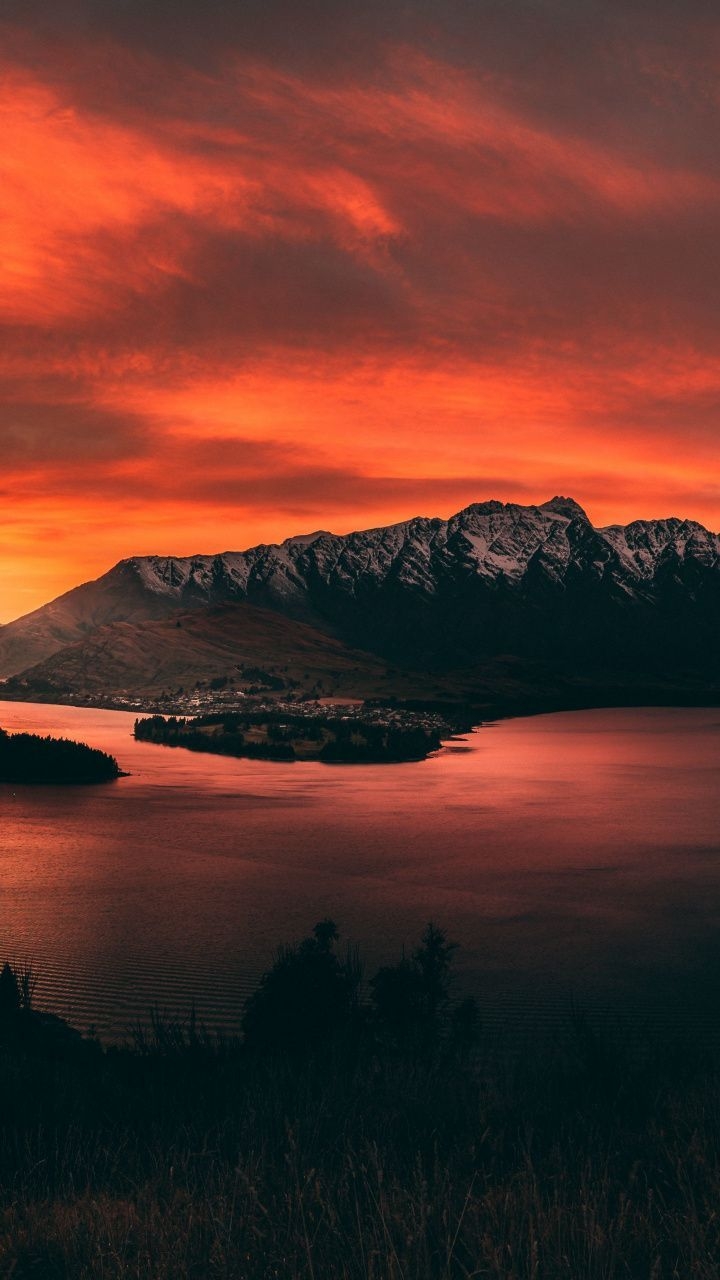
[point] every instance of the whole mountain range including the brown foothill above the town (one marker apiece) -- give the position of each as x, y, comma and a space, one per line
443, 605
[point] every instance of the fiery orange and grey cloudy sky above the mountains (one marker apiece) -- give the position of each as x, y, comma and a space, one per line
272, 267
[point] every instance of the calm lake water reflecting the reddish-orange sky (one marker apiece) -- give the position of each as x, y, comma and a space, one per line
573, 856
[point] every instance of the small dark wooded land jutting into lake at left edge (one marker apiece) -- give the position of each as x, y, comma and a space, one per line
53, 761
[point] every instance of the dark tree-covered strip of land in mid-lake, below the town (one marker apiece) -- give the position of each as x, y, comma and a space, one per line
267, 735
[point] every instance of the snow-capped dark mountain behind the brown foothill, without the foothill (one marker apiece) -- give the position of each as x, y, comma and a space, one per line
495, 579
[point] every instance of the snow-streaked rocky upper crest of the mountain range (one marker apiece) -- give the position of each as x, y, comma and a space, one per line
554, 542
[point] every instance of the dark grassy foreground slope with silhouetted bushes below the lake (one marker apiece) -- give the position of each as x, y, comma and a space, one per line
350, 1139
